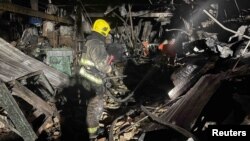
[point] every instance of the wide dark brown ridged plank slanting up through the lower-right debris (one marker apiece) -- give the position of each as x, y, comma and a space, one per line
186, 111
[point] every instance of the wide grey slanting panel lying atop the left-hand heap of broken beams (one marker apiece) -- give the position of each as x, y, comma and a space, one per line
14, 64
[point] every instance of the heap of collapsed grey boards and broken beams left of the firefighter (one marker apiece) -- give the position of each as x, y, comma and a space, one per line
27, 96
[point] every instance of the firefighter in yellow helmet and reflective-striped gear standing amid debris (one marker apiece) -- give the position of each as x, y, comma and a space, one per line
95, 65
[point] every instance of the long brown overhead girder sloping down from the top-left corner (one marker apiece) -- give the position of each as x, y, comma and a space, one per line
27, 11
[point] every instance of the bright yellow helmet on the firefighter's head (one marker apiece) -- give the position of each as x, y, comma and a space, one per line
102, 27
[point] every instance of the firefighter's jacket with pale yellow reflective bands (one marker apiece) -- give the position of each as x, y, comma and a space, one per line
95, 60
